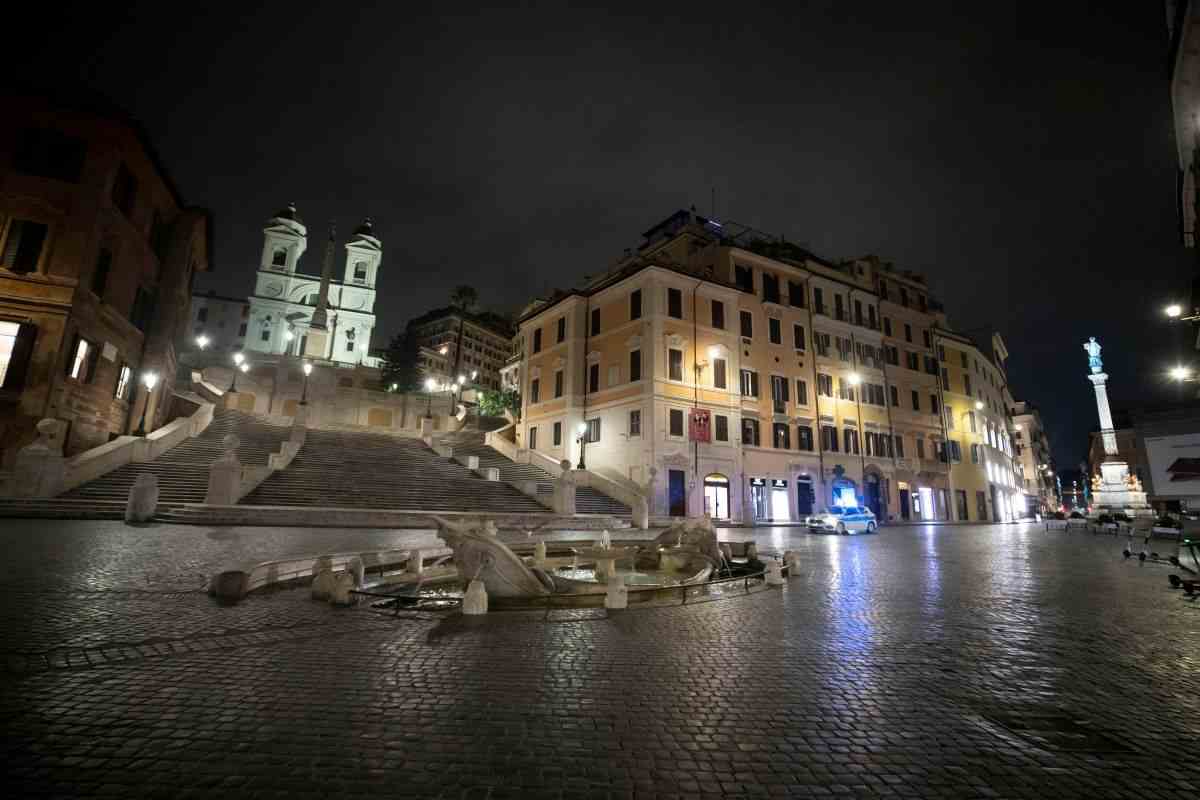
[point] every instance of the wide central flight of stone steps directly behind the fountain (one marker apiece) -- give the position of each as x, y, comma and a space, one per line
376, 471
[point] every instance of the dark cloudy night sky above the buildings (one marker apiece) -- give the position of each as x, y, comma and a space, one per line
1021, 155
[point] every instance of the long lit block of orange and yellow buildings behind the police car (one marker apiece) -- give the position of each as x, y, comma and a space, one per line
764, 383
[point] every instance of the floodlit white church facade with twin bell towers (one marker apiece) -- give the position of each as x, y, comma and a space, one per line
315, 316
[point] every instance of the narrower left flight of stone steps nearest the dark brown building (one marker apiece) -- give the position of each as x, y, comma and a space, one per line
183, 472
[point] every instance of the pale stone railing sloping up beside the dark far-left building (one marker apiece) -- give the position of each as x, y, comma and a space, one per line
112, 455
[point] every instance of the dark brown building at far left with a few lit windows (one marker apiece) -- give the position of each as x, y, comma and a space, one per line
98, 257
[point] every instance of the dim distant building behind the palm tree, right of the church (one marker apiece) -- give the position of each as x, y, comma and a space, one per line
454, 342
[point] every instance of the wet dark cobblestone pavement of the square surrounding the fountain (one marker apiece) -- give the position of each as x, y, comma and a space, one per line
951, 661
